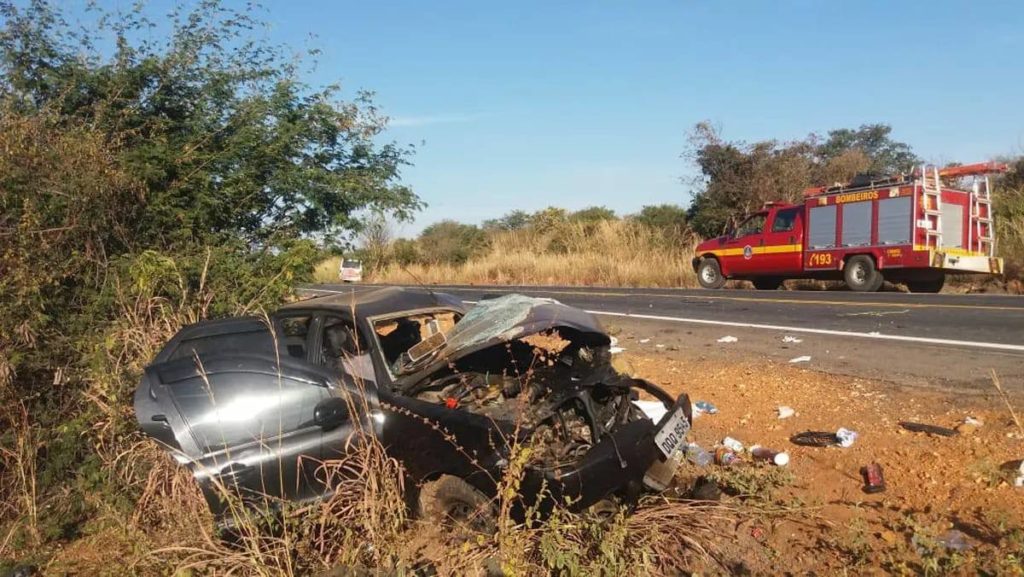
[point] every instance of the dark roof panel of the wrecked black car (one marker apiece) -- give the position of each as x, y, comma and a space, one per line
372, 302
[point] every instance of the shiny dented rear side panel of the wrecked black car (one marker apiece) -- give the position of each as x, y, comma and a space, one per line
243, 424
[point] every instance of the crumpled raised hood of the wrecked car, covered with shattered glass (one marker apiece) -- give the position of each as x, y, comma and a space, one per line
498, 321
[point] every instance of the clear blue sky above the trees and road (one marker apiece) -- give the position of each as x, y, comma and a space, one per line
525, 105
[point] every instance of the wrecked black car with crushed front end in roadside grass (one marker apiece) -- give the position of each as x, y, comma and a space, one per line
260, 404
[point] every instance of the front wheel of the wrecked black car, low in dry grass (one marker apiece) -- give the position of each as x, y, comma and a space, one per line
450, 502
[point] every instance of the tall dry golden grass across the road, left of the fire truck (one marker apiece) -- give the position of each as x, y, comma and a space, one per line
609, 254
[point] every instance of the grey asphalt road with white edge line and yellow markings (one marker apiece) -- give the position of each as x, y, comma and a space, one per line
944, 341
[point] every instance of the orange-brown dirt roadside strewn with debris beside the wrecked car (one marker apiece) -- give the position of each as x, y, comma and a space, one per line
820, 521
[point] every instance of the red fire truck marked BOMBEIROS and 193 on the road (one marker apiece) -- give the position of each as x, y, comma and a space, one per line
910, 229
